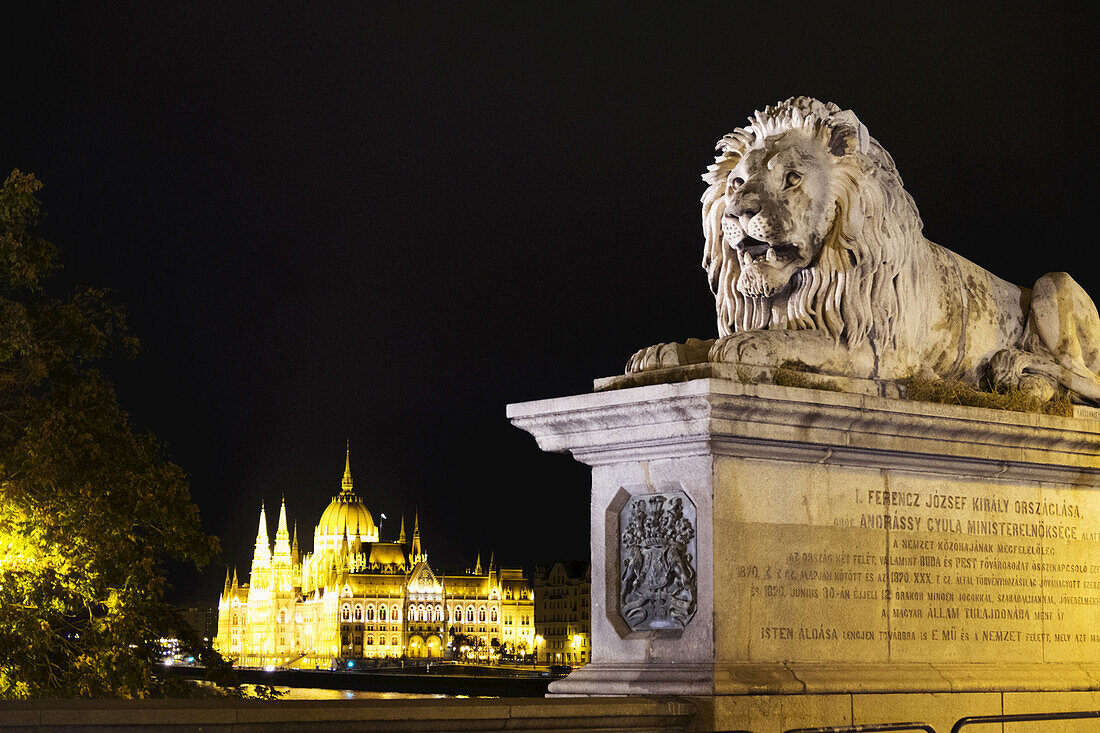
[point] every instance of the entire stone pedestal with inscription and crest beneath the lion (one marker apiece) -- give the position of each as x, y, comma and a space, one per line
796, 542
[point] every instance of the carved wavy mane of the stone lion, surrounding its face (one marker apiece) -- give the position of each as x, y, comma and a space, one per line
857, 282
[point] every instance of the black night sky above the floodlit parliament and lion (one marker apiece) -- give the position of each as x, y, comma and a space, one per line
383, 223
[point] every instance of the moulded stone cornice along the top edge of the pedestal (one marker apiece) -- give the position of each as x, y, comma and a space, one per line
723, 418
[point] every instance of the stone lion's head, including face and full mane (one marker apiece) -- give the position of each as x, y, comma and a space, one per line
807, 225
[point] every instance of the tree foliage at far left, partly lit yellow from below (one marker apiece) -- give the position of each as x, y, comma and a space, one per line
89, 508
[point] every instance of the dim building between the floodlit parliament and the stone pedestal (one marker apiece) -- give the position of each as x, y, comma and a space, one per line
563, 614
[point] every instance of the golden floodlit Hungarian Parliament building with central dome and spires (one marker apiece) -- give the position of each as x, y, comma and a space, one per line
358, 598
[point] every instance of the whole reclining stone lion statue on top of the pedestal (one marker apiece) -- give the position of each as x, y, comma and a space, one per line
816, 257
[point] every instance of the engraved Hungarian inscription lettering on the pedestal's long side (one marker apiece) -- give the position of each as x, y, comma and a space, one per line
932, 570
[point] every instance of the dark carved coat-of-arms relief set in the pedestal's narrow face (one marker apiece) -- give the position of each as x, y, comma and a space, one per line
658, 562
